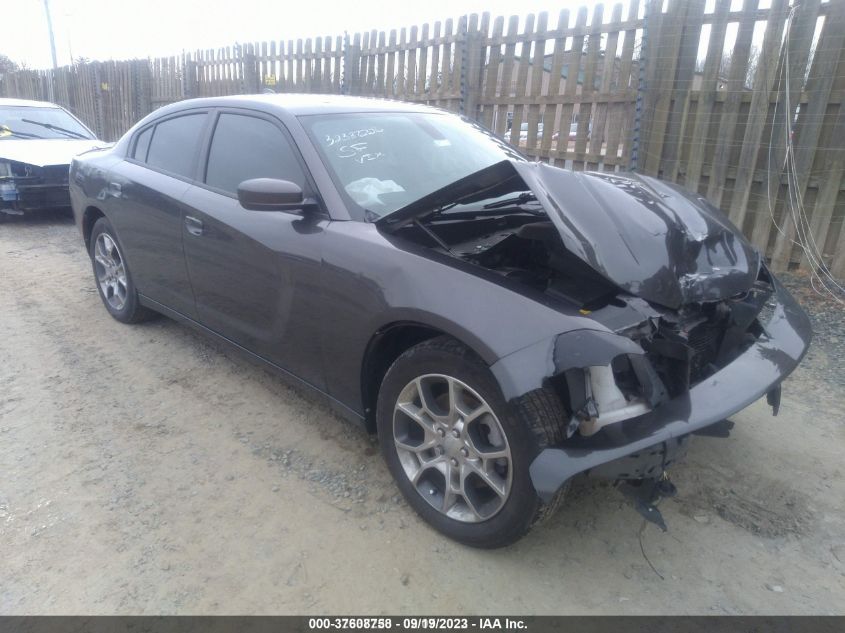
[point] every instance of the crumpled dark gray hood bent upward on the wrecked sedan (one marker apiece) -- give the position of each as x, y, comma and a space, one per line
650, 238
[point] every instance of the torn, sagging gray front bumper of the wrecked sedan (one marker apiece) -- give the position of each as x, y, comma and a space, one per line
643, 446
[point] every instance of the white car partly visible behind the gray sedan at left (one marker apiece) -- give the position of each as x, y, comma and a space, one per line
37, 142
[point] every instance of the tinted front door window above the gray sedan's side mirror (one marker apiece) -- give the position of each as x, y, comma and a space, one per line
246, 147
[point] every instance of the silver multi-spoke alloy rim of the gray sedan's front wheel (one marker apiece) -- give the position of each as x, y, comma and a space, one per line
452, 448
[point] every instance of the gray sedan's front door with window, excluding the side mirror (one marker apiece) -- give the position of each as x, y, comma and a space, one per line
256, 274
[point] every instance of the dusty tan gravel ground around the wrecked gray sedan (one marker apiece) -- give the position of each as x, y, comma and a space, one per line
145, 470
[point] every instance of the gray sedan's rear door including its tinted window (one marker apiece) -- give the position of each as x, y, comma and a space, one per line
147, 209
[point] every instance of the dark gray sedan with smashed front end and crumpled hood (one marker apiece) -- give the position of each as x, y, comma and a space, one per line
502, 325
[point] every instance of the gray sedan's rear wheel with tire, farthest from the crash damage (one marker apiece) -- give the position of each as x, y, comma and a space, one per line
112, 276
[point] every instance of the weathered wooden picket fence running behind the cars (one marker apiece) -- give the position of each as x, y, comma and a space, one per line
618, 88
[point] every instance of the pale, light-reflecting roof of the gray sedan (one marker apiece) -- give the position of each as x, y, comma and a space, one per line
305, 104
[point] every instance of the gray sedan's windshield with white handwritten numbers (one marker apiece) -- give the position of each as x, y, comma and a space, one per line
384, 161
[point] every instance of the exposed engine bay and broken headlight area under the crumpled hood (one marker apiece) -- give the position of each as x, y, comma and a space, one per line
681, 346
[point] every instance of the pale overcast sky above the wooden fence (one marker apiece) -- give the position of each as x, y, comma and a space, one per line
121, 29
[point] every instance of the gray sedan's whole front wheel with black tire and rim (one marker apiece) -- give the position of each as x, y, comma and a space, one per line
459, 453
